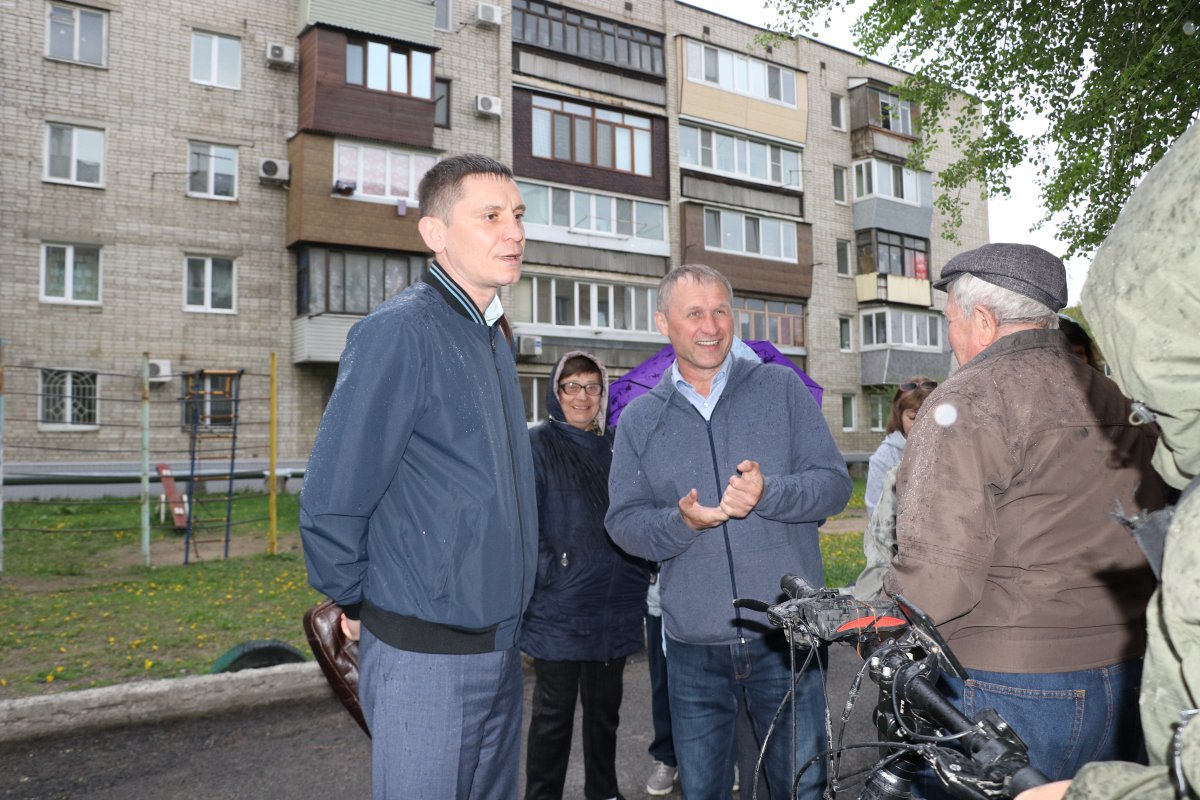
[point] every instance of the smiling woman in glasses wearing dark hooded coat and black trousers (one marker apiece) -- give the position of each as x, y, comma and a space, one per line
590, 598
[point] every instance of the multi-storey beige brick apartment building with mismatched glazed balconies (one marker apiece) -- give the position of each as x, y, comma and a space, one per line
214, 184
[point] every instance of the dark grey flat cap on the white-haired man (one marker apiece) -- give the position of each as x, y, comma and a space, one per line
1024, 269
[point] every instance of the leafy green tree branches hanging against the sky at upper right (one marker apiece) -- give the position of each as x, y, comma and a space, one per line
1114, 81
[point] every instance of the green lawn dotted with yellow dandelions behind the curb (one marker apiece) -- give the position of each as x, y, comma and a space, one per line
79, 609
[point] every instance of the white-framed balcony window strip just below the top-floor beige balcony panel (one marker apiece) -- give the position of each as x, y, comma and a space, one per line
736, 155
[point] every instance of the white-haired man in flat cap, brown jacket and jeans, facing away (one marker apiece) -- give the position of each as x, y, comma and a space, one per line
1012, 480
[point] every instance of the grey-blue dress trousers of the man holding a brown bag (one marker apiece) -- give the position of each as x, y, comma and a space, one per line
442, 726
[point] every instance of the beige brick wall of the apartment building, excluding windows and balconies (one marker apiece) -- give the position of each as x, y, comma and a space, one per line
147, 225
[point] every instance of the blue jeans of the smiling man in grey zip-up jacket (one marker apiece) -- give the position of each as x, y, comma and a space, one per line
705, 684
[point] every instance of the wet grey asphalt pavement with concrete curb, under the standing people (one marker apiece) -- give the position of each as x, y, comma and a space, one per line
291, 741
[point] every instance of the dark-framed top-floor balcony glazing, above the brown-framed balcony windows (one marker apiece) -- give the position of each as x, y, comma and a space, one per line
586, 37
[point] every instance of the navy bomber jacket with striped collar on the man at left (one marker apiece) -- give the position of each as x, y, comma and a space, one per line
419, 500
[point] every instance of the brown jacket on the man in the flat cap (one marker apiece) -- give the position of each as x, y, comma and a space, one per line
1007, 491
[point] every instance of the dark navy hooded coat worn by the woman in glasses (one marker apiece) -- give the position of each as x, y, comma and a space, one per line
591, 596
